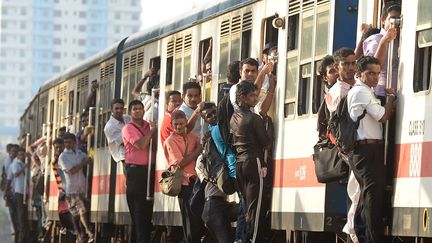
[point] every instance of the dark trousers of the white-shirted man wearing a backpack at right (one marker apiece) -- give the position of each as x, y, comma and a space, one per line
368, 167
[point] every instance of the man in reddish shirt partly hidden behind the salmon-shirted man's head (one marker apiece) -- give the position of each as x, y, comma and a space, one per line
174, 100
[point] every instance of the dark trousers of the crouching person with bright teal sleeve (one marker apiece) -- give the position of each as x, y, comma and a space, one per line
217, 215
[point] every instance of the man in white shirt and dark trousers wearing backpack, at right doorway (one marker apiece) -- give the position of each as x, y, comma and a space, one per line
367, 162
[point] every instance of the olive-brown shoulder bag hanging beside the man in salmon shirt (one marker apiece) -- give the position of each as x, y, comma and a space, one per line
170, 183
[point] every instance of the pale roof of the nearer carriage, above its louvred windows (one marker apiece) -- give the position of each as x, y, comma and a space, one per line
183, 22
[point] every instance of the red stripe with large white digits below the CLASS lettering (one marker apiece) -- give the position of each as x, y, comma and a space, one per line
413, 160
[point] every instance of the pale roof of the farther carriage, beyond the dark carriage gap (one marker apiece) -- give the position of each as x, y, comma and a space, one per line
83, 65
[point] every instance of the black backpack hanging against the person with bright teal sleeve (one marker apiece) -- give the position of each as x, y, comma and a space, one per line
217, 167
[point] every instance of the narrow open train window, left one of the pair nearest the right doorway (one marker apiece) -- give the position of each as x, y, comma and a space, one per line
303, 90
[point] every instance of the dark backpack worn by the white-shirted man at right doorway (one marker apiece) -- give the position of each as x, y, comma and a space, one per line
342, 129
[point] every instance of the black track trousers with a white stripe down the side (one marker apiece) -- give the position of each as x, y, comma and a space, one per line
252, 188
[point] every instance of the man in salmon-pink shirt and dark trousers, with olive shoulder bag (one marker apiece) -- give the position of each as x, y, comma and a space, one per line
182, 149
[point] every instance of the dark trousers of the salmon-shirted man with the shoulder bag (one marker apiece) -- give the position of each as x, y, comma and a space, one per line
193, 226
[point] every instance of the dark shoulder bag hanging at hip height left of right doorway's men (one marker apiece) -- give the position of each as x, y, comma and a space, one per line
329, 166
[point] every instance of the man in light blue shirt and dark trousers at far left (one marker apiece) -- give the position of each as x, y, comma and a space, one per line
16, 181
